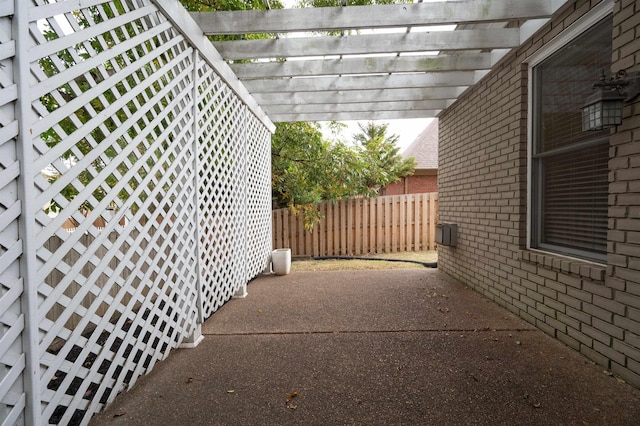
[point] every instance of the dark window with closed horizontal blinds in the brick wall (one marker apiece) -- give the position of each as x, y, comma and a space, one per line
569, 167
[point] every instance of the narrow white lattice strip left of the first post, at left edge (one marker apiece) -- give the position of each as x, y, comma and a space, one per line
12, 358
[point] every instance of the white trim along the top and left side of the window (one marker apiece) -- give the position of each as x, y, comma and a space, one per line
595, 15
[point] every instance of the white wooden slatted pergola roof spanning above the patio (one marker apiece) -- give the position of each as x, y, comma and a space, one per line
413, 73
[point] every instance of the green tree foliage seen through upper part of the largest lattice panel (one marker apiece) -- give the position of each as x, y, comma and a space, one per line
69, 91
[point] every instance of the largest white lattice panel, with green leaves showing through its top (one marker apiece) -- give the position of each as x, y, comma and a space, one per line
113, 86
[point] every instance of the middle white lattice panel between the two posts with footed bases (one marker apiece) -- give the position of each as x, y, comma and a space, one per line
222, 189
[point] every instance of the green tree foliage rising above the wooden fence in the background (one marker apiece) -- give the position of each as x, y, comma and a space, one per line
307, 169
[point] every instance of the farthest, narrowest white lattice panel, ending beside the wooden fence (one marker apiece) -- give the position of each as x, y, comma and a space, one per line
259, 197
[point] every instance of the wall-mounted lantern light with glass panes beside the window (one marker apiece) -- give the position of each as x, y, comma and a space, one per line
603, 108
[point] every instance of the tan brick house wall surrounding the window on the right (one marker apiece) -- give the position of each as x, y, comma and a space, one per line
482, 185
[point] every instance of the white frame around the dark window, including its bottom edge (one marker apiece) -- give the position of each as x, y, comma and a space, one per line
602, 11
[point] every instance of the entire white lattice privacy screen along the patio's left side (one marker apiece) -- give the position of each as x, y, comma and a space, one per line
134, 197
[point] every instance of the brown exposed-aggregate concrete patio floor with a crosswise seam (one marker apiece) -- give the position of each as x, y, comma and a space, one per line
408, 346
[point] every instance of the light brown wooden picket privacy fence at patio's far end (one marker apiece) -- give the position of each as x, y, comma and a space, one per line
359, 226
